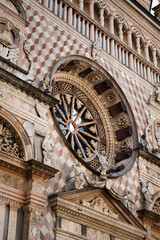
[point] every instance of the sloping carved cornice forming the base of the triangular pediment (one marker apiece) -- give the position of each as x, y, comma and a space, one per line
89, 217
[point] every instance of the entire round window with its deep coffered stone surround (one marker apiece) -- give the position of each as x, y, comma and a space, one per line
93, 120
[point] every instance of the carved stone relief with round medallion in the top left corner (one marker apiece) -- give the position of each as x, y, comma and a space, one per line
12, 31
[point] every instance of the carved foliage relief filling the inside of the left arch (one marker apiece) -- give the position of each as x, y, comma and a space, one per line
9, 141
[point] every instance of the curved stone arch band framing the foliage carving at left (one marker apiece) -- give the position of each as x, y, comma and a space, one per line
18, 128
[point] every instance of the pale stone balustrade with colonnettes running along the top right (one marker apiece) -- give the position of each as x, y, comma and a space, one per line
87, 26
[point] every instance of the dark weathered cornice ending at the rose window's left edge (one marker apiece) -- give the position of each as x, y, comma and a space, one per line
30, 90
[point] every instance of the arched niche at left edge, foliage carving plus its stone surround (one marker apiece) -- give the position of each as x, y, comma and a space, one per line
13, 137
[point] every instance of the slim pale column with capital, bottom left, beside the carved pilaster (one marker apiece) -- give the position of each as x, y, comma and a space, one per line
12, 221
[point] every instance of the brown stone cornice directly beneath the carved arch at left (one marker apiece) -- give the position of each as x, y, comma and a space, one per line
29, 168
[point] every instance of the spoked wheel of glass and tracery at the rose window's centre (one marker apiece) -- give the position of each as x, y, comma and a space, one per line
77, 125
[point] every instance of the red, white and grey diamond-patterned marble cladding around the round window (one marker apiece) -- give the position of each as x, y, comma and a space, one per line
49, 43
